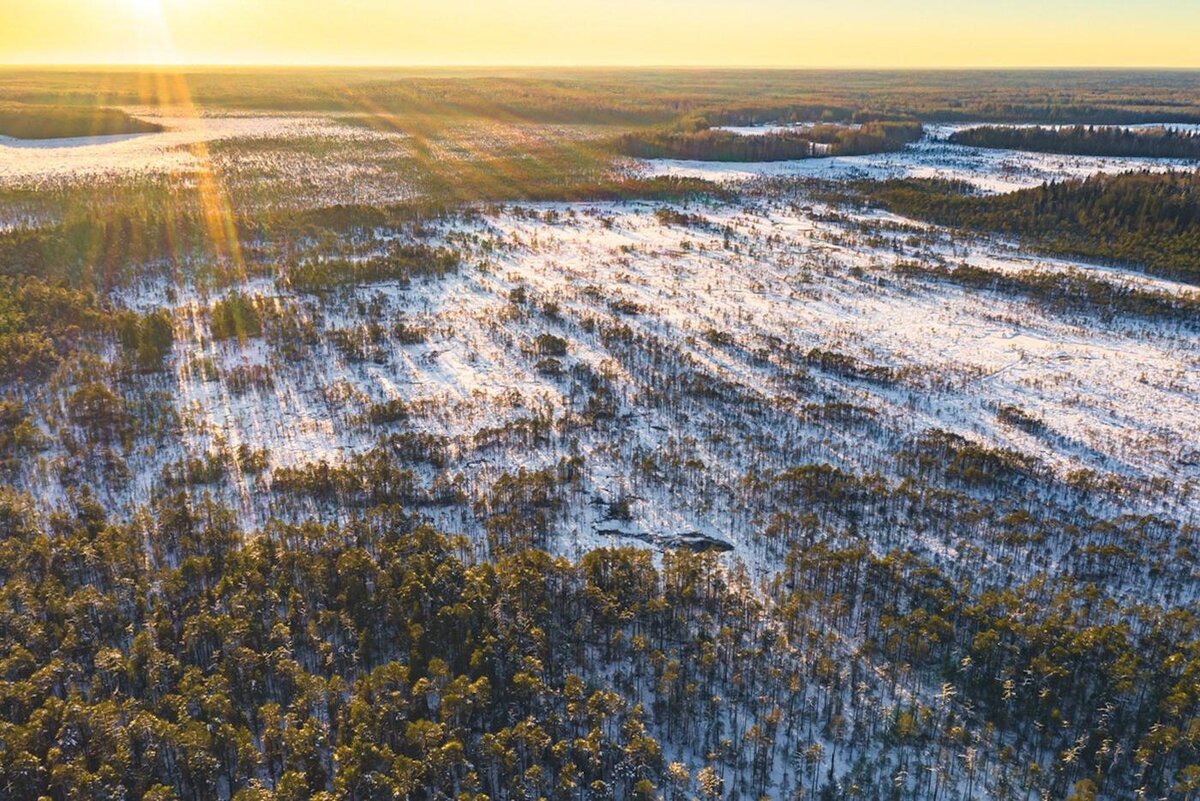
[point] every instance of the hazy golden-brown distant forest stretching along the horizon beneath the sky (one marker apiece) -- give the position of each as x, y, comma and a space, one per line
657, 97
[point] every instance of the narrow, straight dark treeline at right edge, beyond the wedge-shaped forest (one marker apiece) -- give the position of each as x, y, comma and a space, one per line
1085, 141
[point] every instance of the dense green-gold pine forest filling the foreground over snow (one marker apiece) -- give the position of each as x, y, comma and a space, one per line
381, 660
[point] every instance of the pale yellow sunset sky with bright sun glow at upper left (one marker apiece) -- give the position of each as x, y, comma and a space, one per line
605, 33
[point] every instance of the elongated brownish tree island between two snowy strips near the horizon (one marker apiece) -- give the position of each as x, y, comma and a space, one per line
784, 146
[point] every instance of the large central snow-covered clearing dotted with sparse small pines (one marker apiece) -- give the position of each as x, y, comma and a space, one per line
701, 336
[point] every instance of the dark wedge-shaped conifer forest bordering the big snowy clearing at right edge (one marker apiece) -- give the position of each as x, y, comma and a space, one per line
1143, 220
